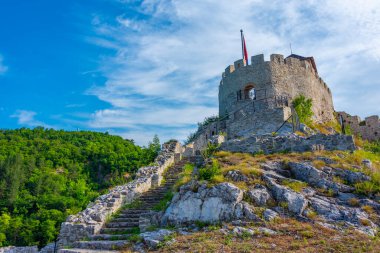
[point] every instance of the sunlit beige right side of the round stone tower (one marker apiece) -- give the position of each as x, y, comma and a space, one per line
292, 77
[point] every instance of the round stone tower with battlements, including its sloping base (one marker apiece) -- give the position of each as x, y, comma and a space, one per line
256, 99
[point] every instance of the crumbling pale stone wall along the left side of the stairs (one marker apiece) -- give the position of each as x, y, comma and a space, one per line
90, 221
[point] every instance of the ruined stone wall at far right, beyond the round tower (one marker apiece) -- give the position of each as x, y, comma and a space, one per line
368, 129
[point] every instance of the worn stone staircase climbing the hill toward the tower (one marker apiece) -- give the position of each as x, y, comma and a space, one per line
115, 233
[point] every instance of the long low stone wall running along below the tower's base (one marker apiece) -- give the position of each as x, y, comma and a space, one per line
292, 143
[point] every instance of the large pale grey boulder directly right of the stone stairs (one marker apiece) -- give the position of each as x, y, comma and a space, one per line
194, 202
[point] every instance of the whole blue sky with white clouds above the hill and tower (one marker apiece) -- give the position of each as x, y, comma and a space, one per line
137, 68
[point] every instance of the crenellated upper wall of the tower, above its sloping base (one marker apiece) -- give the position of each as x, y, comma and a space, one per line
277, 78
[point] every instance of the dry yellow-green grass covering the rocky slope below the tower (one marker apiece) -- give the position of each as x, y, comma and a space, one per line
291, 233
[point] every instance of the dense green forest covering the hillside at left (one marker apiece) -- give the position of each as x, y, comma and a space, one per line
46, 175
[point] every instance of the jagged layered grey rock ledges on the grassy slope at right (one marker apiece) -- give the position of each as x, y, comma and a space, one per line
333, 210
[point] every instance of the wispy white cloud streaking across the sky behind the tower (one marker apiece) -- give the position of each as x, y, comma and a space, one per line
167, 66
